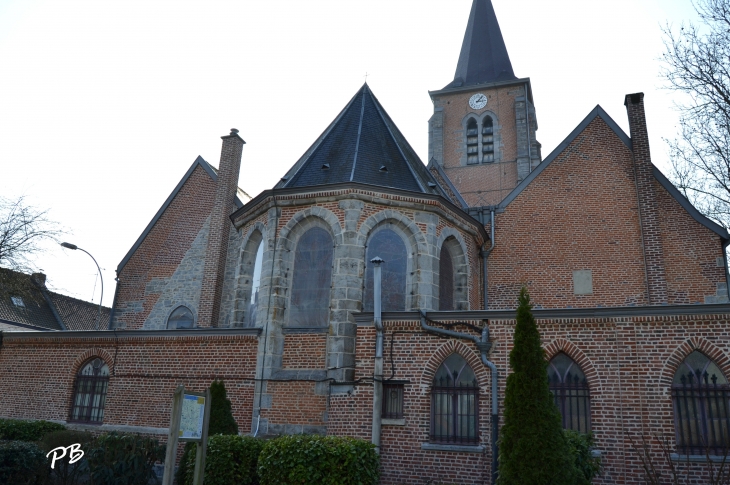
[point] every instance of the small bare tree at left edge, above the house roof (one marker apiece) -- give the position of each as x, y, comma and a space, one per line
23, 229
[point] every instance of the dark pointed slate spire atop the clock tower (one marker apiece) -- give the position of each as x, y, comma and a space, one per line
483, 57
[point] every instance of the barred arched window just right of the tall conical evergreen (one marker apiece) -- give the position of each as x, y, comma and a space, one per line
570, 390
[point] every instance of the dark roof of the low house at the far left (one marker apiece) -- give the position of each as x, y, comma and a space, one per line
49, 310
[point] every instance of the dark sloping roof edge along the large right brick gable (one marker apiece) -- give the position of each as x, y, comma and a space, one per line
599, 112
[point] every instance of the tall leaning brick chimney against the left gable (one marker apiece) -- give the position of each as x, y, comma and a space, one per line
220, 227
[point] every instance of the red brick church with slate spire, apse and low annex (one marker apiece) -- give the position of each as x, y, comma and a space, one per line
278, 295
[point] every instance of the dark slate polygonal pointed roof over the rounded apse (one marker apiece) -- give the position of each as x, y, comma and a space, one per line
362, 145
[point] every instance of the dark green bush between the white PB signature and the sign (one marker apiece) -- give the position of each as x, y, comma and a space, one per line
124, 459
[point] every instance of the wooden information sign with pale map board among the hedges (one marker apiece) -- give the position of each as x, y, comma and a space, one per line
190, 417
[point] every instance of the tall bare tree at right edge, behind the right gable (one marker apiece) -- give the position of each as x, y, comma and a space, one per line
697, 64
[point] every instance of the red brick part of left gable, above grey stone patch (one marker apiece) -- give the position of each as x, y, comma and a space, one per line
163, 249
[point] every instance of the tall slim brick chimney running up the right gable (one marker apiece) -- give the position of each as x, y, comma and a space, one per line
656, 283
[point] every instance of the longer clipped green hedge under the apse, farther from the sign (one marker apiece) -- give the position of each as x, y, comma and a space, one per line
325, 460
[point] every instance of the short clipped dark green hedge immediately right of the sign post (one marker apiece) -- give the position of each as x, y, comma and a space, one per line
230, 459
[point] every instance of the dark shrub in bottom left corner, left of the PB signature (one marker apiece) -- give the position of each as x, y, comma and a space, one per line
20, 462
